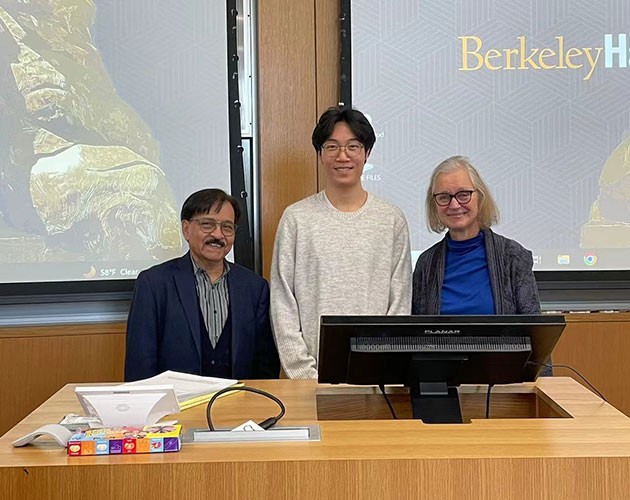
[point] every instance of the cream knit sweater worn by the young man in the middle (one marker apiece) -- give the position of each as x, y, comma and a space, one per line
327, 262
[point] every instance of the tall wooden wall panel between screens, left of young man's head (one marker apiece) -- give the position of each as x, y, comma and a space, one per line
287, 111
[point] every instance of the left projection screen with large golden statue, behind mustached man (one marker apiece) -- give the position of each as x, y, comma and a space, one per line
111, 113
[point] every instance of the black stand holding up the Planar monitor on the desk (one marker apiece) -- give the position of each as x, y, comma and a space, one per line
435, 403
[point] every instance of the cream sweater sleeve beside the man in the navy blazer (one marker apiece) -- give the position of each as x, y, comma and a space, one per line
285, 320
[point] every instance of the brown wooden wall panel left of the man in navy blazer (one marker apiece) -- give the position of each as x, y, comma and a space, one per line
36, 362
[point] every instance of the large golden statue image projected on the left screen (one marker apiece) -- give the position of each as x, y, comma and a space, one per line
79, 168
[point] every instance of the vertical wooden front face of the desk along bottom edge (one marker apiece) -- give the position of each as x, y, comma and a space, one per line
447, 479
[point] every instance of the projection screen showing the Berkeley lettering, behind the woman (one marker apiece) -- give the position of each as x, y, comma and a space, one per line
535, 92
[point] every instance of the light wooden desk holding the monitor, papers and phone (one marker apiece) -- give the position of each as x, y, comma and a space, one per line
584, 455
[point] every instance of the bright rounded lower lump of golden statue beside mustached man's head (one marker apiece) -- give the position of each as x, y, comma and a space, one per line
109, 198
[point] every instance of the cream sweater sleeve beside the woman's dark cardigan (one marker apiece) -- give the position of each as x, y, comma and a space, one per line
400, 286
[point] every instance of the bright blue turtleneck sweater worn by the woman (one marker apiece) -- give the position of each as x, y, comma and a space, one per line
466, 288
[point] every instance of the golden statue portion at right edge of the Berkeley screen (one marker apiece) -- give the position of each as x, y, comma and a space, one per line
609, 224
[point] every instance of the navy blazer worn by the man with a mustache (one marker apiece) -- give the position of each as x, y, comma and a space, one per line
163, 325
